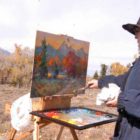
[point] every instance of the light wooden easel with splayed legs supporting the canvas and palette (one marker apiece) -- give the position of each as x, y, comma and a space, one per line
45, 103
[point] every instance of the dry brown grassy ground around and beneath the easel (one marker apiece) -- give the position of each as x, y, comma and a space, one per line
8, 94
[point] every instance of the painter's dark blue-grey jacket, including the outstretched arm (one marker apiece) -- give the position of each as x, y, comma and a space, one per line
128, 124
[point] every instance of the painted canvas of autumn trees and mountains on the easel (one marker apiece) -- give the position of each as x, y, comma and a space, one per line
60, 65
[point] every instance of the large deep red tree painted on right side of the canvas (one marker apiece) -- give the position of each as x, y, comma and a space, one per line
71, 64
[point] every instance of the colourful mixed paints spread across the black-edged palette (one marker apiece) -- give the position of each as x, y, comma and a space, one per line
78, 116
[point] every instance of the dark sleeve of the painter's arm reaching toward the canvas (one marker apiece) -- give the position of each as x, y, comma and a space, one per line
119, 80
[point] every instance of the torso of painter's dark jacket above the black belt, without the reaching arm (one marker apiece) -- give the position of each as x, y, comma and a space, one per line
129, 99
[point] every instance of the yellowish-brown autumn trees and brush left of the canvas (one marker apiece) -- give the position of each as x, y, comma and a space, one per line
16, 68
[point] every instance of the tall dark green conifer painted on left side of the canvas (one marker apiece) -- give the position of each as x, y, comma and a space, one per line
43, 66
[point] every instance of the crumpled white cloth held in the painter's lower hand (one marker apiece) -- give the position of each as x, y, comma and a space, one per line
107, 94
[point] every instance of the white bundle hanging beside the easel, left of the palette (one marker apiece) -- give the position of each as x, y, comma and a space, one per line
20, 109
